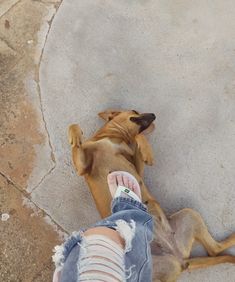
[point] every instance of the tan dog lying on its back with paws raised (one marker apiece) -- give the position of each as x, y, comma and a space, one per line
120, 145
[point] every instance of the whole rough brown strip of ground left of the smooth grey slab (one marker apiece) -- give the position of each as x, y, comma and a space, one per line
27, 234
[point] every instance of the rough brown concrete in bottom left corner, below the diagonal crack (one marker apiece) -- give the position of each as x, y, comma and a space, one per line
26, 241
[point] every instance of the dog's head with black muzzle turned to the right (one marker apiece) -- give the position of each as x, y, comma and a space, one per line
132, 121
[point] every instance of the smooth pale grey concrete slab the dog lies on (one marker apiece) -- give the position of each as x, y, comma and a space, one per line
173, 58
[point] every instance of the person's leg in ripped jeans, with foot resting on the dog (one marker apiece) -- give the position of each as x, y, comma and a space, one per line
108, 251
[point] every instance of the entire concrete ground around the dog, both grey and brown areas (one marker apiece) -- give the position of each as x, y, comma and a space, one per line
173, 58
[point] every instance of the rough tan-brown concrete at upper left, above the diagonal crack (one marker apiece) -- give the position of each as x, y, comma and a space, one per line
23, 134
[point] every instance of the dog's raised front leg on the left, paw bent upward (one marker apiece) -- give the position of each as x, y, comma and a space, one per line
81, 160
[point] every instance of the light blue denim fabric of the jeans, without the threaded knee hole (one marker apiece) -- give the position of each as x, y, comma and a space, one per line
138, 261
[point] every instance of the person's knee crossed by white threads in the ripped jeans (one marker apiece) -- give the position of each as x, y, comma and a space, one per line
101, 258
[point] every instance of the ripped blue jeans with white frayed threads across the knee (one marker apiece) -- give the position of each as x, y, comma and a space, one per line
135, 225
